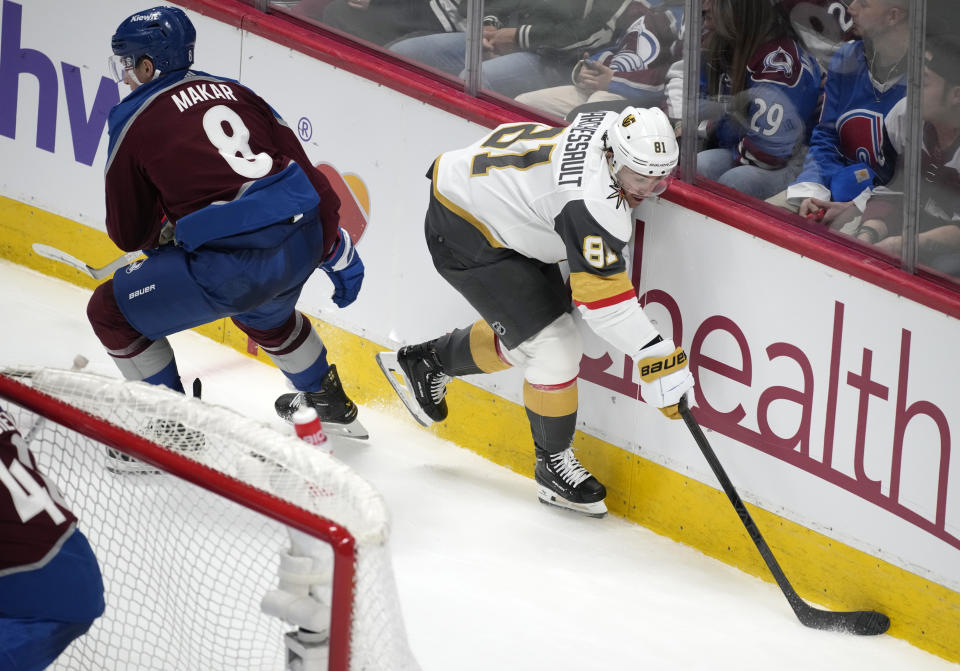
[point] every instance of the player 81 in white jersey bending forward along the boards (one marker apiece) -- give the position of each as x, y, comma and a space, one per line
503, 213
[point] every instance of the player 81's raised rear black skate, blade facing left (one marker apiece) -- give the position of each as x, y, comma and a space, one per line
416, 374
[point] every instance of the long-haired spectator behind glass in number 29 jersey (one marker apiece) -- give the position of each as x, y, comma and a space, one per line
765, 88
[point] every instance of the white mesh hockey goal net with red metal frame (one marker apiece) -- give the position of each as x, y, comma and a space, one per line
188, 553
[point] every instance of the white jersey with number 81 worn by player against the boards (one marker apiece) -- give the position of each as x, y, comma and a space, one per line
547, 193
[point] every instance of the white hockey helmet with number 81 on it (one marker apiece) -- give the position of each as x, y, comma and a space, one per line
643, 140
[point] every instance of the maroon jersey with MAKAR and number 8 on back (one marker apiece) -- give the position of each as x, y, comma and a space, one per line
189, 139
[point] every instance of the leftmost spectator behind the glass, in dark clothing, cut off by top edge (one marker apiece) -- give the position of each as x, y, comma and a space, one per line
384, 21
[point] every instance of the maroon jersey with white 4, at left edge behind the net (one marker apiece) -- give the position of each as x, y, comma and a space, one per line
34, 520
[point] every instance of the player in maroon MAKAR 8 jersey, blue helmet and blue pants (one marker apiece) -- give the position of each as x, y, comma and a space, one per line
206, 178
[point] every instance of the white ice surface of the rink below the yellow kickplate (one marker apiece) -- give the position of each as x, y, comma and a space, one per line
489, 579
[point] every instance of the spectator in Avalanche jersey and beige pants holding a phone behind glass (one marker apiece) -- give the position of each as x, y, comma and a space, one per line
630, 72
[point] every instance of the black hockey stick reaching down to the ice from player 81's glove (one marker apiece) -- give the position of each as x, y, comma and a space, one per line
862, 622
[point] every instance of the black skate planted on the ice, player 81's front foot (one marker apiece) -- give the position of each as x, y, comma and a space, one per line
563, 482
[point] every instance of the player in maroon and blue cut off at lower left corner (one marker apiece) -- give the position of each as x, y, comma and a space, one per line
51, 590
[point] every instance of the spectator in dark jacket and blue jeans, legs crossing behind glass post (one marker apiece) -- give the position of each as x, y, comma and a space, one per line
527, 44
